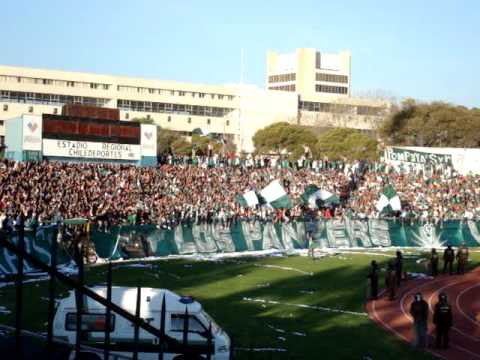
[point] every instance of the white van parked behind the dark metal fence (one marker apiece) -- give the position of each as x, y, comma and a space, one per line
122, 335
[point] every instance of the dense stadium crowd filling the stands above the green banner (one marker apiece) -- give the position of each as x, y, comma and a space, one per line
174, 193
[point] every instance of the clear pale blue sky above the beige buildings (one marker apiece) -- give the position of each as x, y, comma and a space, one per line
424, 49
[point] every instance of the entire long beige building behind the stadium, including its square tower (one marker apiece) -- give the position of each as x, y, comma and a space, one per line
306, 87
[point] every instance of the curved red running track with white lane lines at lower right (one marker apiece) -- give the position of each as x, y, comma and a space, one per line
463, 293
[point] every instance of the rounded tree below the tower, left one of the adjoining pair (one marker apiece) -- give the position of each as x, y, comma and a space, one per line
284, 137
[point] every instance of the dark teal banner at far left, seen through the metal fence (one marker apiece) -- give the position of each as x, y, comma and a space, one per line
39, 246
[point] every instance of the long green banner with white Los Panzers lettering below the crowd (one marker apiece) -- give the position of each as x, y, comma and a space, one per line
249, 236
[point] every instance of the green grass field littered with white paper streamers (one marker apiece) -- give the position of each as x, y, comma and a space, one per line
334, 282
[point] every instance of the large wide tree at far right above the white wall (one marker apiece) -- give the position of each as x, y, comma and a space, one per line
432, 124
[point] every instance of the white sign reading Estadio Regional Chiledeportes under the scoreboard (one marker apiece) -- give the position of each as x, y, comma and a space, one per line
92, 150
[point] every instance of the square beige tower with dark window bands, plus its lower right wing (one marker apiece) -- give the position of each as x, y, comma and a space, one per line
322, 82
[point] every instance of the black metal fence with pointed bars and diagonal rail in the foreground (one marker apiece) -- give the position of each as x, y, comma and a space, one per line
165, 342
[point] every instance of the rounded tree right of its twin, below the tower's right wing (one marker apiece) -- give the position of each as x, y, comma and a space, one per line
343, 143
